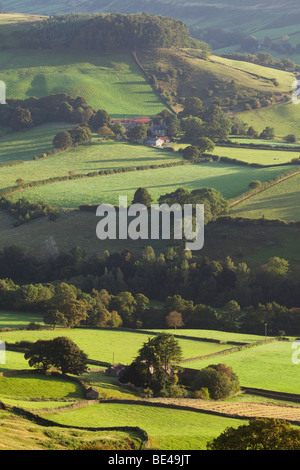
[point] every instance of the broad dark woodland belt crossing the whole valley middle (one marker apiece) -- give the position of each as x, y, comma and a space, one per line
115, 290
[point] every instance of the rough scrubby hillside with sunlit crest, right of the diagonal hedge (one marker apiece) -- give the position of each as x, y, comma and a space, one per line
232, 84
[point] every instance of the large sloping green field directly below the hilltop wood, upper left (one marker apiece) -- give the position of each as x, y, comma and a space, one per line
111, 82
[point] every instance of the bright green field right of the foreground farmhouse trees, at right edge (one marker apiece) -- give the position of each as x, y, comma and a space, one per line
269, 367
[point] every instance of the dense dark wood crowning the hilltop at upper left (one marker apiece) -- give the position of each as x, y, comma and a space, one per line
108, 32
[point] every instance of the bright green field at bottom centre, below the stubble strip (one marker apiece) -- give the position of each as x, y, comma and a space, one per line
168, 429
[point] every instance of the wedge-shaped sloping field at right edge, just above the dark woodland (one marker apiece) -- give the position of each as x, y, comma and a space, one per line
279, 202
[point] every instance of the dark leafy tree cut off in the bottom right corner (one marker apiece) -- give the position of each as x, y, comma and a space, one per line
259, 434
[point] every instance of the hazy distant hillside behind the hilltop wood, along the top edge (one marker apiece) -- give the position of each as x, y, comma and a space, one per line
226, 25
